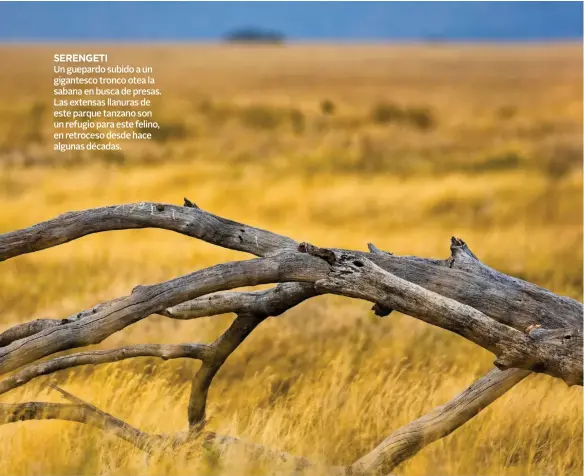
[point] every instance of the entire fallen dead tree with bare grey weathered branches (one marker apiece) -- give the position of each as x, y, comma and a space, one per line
527, 328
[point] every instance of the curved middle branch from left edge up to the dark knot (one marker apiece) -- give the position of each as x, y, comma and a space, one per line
146, 300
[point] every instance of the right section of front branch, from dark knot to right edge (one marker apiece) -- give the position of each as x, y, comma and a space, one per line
556, 352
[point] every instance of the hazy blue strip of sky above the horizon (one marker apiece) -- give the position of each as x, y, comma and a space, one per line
298, 21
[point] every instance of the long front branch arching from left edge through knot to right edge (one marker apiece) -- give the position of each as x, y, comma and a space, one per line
557, 353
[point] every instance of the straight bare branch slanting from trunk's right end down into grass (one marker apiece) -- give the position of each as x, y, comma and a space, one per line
408, 440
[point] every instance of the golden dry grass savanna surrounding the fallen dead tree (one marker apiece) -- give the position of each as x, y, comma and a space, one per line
403, 146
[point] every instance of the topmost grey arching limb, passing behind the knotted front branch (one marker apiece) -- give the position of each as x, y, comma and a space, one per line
512, 301
